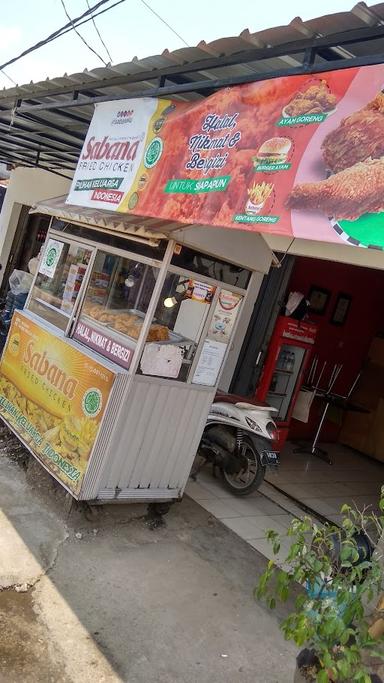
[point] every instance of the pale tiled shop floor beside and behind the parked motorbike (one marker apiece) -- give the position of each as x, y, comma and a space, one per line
323, 488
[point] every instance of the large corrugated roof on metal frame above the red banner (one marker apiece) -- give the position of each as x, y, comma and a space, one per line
44, 124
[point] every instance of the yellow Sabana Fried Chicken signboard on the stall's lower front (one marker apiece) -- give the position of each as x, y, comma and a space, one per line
54, 397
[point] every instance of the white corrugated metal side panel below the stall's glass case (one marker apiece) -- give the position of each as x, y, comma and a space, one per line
161, 431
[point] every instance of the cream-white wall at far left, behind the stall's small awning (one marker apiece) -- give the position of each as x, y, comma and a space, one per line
26, 186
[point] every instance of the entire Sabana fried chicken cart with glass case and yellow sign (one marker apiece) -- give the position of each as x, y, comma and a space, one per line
109, 371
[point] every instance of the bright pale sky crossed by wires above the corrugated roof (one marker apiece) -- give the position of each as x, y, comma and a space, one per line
132, 30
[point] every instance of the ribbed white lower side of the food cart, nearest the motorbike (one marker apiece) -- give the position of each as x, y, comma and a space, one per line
149, 451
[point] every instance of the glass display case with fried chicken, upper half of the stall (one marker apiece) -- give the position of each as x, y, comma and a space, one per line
99, 295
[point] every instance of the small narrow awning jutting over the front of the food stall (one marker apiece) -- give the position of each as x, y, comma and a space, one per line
138, 227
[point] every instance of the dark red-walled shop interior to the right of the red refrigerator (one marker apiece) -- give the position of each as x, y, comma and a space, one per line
346, 365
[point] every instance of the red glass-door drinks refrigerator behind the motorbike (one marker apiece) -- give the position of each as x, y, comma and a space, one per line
287, 359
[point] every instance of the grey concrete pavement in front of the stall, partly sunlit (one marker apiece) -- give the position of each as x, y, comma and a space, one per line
111, 600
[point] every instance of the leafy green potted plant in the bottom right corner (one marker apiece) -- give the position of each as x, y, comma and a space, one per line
341, 575
